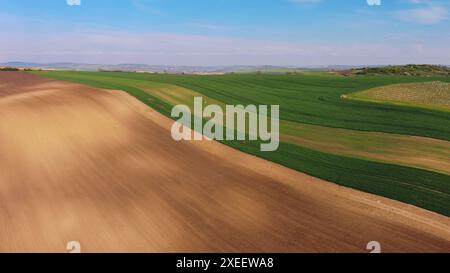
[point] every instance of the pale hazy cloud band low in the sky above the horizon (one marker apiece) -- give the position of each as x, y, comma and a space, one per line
174, 49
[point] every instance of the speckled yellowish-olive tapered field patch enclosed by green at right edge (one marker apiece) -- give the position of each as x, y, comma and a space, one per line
433, 95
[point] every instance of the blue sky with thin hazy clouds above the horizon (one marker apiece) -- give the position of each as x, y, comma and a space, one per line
226, 32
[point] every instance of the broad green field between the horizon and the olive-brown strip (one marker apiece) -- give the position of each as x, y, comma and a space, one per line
315, 100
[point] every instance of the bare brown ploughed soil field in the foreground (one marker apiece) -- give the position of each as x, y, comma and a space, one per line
99, 167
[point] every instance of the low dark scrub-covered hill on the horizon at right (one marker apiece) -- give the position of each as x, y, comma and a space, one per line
406, 70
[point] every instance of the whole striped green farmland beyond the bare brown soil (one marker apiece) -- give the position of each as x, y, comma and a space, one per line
307, 101
